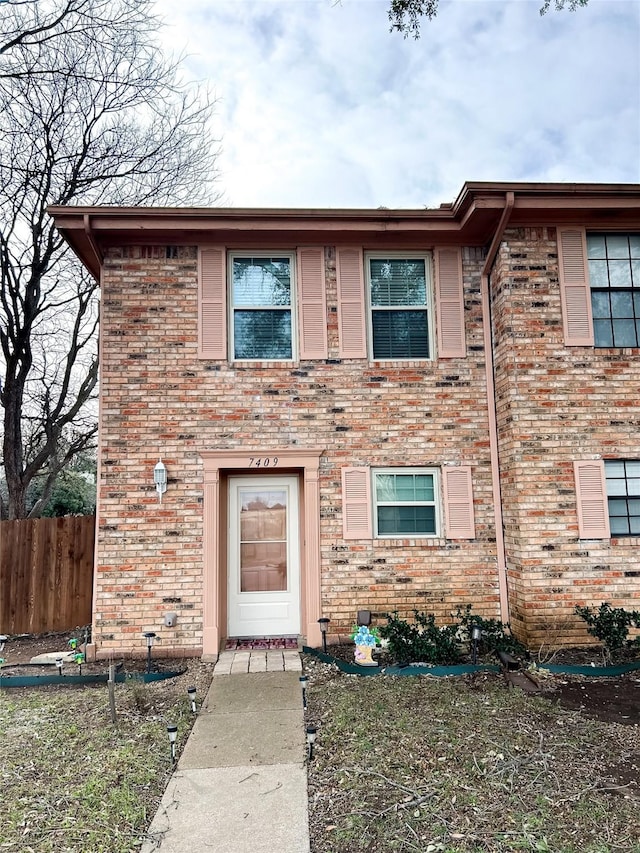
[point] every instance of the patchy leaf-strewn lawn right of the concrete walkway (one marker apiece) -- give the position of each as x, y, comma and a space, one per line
465, 764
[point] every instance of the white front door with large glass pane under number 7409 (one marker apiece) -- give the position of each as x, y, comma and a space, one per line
264, 557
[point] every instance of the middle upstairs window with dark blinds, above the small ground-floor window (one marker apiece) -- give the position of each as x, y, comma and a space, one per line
399, 299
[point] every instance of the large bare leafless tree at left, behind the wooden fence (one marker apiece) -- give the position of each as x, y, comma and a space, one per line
90, 113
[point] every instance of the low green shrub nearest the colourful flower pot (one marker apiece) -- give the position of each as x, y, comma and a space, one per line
422, 640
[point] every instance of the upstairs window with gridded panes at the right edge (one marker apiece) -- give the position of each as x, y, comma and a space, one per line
614, 279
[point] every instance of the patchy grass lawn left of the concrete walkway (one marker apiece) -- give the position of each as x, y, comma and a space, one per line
71, 781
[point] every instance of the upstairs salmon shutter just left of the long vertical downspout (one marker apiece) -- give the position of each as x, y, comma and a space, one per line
450, 303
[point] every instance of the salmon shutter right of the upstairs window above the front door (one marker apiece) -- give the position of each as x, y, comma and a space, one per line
312, 305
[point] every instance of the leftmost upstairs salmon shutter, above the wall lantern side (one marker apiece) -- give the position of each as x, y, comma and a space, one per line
212, 312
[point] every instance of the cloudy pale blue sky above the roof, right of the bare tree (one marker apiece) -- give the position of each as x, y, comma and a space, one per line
319, 105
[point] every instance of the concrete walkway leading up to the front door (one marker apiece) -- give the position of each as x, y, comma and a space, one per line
240, 785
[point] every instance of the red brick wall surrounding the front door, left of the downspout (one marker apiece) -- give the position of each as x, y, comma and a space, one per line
160, 400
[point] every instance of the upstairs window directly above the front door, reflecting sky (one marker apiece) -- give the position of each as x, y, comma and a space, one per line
262, 315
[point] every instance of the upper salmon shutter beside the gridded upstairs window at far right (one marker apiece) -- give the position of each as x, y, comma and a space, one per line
575, 295
